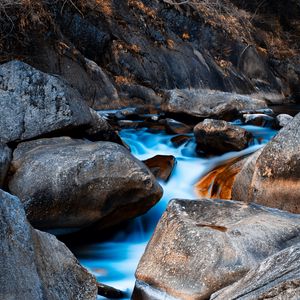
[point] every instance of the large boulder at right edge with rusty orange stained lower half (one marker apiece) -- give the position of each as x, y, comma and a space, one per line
272, 177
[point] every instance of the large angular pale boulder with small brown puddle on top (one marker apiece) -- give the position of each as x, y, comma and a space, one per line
201, 246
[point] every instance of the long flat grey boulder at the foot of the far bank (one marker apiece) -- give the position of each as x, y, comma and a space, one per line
209, 103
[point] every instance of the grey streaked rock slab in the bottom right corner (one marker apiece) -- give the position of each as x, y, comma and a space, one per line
277, 277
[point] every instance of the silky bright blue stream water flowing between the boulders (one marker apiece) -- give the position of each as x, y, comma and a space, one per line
114, 262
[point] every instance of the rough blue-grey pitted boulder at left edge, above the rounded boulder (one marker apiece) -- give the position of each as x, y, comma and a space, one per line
34, 103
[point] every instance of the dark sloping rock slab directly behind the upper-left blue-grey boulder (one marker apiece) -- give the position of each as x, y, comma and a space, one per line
81, 73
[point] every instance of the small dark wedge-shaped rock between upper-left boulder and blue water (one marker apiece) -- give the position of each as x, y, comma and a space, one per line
100, 130
